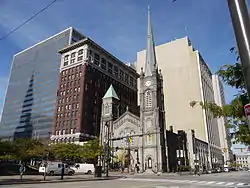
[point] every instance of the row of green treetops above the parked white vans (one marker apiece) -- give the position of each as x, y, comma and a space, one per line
26, 149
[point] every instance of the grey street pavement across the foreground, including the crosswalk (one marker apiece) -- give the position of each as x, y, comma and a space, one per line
232, 179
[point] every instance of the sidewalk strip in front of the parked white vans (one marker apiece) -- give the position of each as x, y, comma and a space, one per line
35, 179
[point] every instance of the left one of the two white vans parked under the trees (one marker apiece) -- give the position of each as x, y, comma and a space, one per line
54, 168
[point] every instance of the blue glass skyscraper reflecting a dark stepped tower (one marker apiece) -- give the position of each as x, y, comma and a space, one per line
32, 89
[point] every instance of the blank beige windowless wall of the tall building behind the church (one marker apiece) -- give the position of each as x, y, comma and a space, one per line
181, 84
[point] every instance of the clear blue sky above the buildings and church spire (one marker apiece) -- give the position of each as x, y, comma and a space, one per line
120, 27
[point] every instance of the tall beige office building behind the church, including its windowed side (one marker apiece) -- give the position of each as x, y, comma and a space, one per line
187, 78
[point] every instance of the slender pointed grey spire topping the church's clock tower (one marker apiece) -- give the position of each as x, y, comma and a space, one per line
150, 64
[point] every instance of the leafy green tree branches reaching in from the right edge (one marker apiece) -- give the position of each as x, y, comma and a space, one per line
232, 75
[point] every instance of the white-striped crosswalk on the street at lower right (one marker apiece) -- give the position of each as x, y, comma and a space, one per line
197, 182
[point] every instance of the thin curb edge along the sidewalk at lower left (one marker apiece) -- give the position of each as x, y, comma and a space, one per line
57, 181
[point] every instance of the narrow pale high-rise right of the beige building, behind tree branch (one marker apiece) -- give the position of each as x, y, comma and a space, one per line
225, 140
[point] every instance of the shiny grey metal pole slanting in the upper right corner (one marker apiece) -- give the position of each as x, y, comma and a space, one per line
241, 24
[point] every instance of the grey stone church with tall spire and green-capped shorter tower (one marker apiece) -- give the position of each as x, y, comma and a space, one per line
141, 138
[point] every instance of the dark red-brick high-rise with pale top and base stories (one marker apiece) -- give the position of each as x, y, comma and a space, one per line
86, 72
